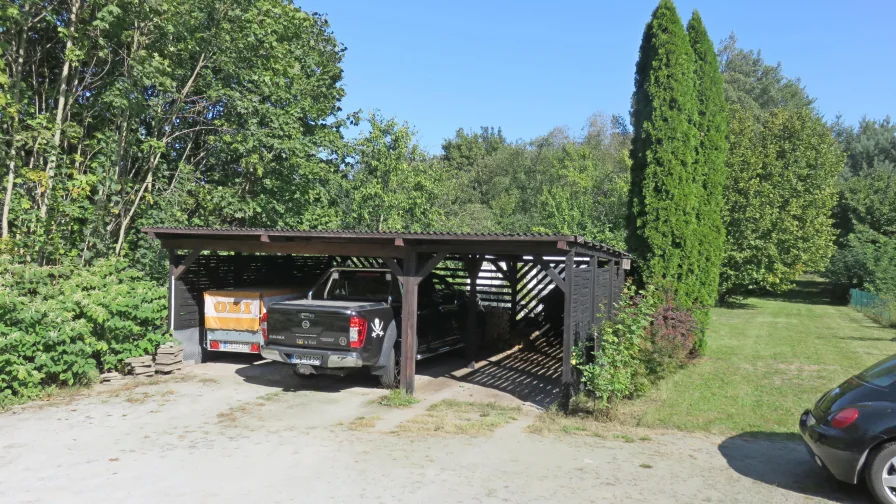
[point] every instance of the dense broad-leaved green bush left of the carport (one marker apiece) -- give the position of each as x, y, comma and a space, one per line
60, 325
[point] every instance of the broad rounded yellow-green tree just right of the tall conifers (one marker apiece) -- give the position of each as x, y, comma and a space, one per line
780, 190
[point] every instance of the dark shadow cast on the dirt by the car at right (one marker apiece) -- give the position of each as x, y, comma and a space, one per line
781, 460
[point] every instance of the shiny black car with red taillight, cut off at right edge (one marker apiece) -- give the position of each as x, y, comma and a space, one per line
851, 430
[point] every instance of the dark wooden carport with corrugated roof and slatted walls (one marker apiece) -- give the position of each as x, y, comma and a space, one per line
512, 271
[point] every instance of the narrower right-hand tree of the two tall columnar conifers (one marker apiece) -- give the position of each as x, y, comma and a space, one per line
712, 125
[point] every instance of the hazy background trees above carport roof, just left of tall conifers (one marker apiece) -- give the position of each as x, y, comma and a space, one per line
556, 183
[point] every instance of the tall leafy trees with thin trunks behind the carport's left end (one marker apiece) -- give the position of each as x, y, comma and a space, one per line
189, 112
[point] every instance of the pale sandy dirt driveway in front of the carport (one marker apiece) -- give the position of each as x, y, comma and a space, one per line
239, 431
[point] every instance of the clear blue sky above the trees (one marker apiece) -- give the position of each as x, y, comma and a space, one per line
529, 66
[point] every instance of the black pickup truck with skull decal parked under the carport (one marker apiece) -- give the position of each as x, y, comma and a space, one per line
351, 319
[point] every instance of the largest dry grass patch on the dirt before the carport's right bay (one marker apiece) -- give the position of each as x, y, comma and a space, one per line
450, 417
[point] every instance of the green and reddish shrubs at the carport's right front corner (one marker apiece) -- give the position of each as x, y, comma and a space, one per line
649, 338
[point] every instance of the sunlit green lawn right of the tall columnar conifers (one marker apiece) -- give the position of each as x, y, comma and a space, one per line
767, 360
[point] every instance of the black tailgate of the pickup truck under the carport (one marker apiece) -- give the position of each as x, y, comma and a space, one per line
313, 324
